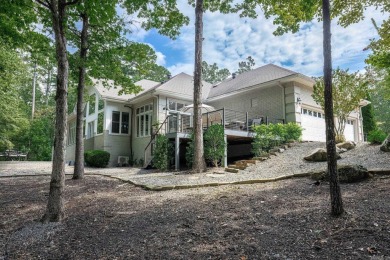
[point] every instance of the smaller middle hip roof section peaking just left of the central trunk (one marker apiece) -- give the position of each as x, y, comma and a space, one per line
181, 85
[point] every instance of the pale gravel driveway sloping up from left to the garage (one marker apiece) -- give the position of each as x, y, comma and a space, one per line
287, 163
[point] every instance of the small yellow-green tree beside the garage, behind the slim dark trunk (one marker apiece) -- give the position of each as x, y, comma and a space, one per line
348, 90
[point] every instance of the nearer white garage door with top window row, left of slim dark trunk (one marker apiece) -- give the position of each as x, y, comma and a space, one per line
313, 124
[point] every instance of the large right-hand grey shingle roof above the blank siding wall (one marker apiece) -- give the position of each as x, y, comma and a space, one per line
251, 78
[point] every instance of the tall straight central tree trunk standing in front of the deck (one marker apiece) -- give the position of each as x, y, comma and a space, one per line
199, 164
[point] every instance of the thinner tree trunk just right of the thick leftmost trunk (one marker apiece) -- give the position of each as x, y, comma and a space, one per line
79, 154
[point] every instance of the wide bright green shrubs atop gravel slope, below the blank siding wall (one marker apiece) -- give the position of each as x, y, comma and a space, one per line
272, 135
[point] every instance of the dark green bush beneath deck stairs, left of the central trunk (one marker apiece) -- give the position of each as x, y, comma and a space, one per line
162, 153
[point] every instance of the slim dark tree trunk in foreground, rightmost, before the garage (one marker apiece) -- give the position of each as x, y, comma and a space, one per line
335, 193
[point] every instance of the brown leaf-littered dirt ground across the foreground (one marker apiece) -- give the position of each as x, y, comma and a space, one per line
109, 219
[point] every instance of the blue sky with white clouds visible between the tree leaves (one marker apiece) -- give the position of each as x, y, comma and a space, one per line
230, 39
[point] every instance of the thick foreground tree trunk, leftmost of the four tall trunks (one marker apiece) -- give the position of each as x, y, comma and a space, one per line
55, 206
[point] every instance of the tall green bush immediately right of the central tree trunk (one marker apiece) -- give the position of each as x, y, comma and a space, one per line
214, 144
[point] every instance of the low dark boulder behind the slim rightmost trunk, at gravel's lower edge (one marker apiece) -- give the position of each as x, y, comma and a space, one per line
347, 174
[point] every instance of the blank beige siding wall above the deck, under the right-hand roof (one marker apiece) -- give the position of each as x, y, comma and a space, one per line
268, 102
